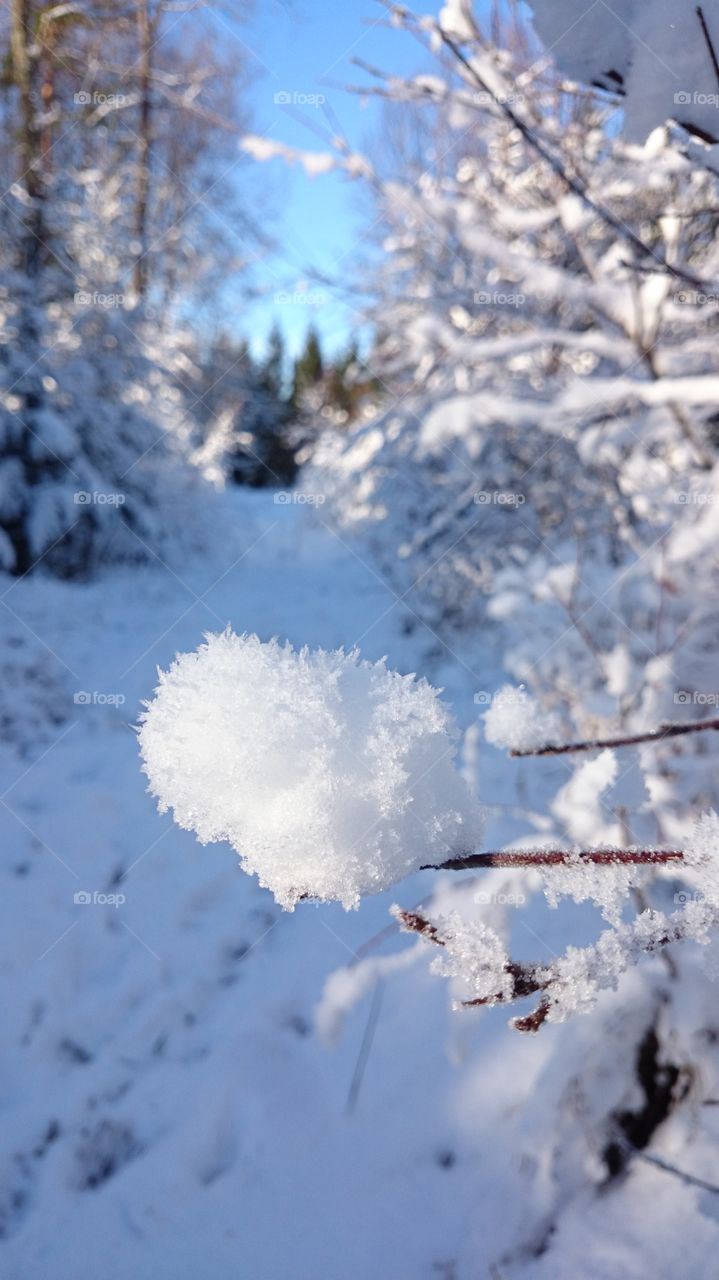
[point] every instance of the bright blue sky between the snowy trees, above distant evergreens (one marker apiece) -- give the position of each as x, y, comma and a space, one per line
301, 49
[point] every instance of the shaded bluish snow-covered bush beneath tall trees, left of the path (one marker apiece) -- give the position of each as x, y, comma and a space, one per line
95, 438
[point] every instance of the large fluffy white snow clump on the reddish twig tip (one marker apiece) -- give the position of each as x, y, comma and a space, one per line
332, 778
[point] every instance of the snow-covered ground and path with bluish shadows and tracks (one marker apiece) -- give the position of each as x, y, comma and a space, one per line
168, 1107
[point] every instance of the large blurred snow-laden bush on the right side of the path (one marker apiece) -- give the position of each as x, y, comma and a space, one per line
544, 470
